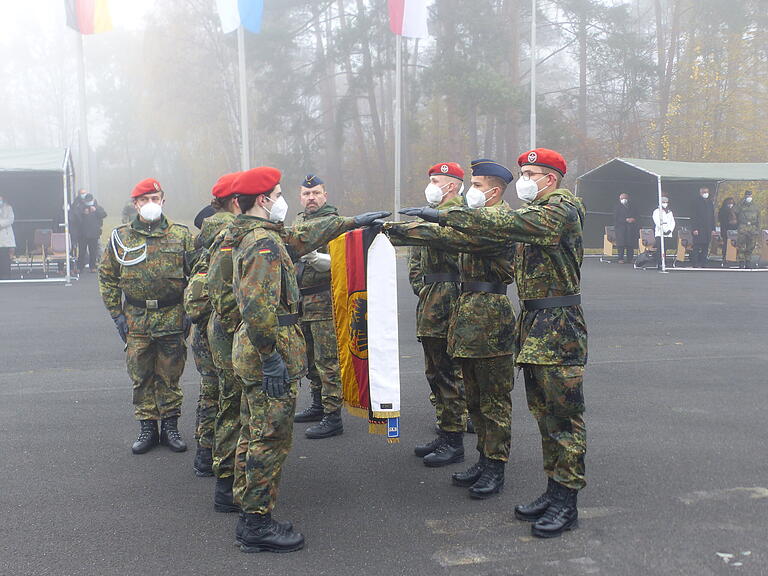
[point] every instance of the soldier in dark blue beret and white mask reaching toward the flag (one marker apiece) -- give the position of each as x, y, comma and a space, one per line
481, 329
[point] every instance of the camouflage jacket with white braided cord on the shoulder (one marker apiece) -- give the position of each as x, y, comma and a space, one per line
161, 276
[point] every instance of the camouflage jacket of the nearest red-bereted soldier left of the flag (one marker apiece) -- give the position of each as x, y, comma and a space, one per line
265, 287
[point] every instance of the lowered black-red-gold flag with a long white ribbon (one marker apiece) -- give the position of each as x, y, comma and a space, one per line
363, 266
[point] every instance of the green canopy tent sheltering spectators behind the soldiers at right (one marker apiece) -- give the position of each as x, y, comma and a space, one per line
641, 179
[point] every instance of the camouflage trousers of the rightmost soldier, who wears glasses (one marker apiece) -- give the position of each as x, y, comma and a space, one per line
556, 400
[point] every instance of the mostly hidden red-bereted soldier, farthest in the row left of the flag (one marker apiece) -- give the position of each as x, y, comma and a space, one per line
211, 220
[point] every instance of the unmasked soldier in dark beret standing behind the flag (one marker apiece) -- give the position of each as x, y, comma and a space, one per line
314, 276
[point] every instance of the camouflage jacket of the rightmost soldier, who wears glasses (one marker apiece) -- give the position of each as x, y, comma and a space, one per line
548, 261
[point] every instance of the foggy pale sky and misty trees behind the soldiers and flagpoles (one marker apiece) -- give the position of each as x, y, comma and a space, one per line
667, 79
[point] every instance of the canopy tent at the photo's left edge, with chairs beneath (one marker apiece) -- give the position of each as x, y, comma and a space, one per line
39, 185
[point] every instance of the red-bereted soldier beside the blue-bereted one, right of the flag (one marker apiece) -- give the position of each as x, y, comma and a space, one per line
434, 278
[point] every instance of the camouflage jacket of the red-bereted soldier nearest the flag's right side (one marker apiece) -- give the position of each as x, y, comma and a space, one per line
437, 299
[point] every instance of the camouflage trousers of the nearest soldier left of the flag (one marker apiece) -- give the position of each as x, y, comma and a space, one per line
263, 446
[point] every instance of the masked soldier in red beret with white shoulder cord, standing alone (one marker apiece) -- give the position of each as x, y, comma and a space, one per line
146, 264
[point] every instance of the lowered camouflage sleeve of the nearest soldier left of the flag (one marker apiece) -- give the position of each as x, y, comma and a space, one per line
260, 294
